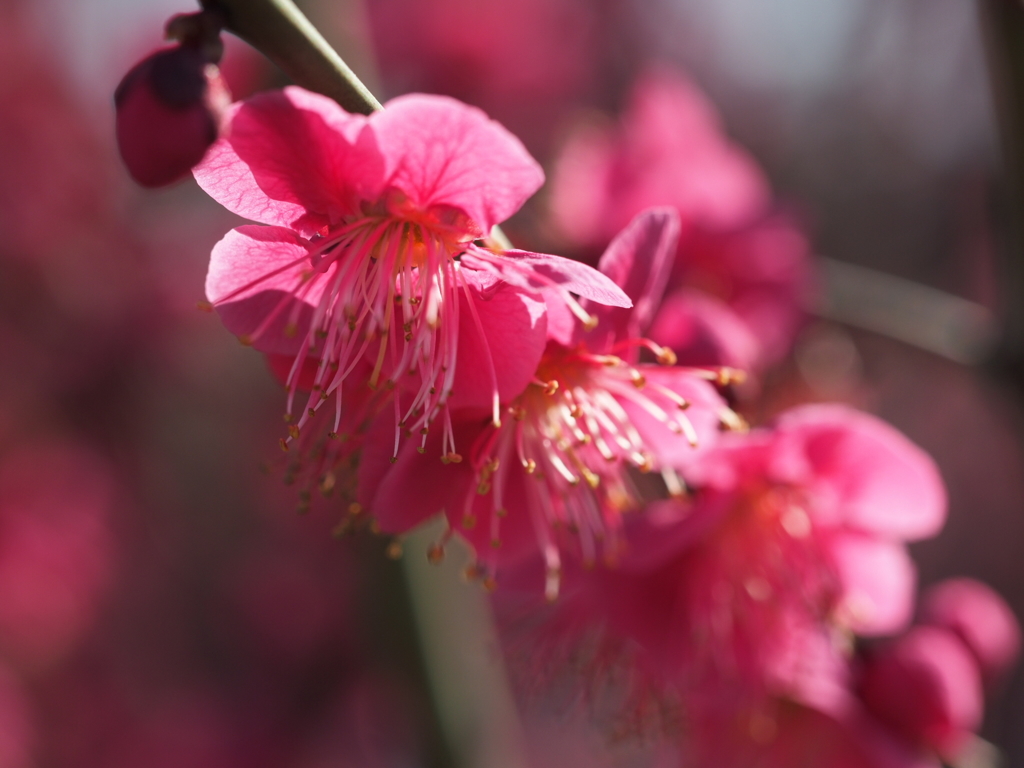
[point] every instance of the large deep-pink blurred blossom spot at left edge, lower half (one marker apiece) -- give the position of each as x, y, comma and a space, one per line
56, 549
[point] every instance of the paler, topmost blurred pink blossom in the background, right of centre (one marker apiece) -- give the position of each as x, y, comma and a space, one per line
668, 150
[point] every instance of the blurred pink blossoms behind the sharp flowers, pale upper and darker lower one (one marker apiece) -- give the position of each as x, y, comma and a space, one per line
743, 275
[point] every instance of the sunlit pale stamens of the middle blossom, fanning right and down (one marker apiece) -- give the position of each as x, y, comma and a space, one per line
573, 436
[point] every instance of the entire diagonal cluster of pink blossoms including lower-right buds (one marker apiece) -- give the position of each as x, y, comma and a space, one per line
540, 405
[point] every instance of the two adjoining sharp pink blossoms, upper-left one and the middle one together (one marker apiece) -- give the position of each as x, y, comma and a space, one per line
499, 383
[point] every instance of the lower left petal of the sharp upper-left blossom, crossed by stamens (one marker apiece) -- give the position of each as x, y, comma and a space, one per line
253, 273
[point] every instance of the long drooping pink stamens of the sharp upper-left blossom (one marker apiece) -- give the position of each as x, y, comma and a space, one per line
385, 304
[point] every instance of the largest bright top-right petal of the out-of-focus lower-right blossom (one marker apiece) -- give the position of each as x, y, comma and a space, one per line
874, 477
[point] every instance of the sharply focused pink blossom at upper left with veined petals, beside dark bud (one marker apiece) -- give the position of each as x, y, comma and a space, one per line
369, 250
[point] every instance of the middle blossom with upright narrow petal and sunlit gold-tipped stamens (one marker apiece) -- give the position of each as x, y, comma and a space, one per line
559, 464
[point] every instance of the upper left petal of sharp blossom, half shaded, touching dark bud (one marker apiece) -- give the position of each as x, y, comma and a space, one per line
291, 158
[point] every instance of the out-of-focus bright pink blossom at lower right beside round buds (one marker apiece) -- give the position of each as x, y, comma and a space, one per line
750, 588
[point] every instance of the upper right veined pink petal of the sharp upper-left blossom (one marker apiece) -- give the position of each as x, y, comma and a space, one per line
440, 152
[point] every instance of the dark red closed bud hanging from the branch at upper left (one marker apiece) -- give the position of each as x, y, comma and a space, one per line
170, 110
